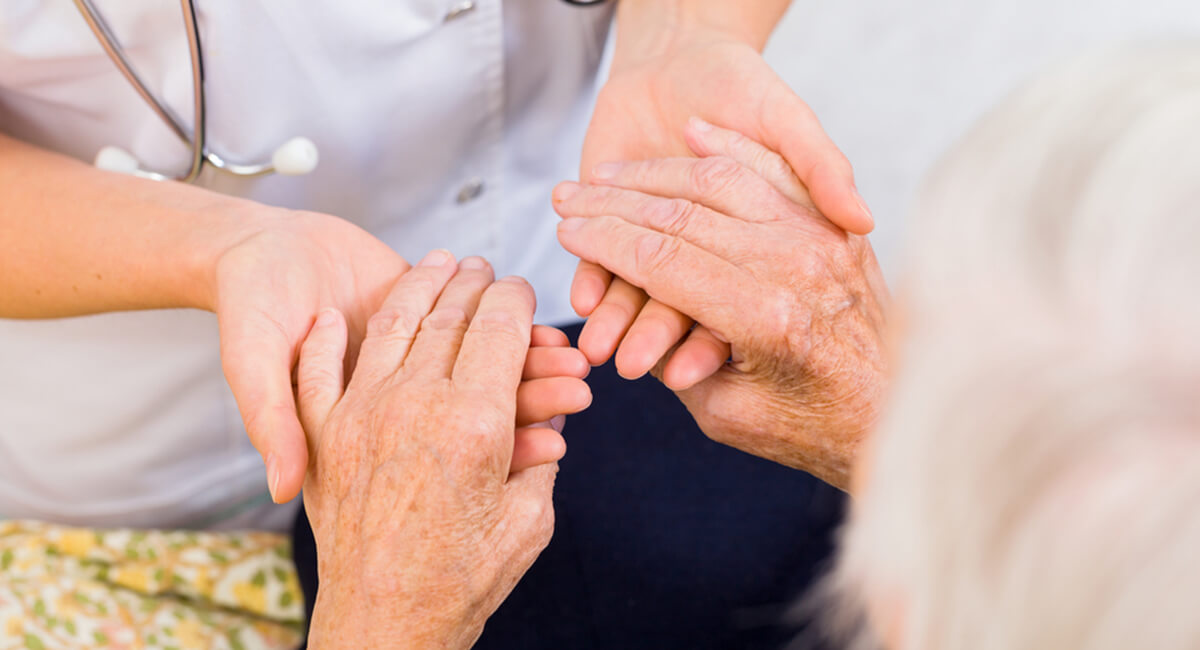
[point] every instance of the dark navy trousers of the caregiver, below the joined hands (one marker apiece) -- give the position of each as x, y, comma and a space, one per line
663, 539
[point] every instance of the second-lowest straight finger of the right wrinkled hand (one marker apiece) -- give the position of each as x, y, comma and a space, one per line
680, 218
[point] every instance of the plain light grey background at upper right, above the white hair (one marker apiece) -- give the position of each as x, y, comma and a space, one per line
897, 82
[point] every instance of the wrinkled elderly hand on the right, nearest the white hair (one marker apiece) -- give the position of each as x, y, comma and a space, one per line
797, 299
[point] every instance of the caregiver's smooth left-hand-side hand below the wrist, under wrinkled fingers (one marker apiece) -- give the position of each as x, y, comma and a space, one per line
271, 288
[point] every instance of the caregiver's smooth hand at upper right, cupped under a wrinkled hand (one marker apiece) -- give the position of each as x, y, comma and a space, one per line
640, 115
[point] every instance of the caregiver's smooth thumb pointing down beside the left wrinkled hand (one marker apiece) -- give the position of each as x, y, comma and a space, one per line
257, 360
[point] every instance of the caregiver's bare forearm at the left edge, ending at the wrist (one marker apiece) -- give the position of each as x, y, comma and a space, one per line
77, 240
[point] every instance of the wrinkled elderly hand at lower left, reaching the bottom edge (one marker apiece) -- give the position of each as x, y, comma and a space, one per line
422, 532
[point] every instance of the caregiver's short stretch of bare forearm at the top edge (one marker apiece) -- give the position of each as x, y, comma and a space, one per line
646, 28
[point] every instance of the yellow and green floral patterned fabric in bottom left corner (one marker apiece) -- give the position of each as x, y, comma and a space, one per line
143, 589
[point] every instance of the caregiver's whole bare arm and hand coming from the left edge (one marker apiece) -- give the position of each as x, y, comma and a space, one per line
105, 242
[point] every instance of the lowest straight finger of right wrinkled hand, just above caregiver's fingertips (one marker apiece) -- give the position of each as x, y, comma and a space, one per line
710, 290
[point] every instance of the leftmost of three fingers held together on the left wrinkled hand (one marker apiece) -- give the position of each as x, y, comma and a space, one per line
392, 330
